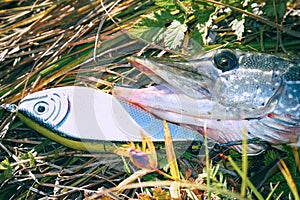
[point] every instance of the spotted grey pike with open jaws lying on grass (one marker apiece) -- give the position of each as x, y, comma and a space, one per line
225, 91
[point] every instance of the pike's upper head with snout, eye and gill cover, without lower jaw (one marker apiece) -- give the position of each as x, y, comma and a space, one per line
246, 83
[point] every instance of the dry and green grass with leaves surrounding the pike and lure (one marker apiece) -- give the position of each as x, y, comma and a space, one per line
57, 43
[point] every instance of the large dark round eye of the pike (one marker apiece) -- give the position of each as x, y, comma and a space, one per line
225, 60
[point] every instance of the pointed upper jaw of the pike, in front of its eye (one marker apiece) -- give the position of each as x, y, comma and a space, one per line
184, 75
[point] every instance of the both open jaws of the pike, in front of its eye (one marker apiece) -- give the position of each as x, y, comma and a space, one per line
182, 93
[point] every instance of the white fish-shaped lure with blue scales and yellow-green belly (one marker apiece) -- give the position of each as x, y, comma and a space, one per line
89, 119
